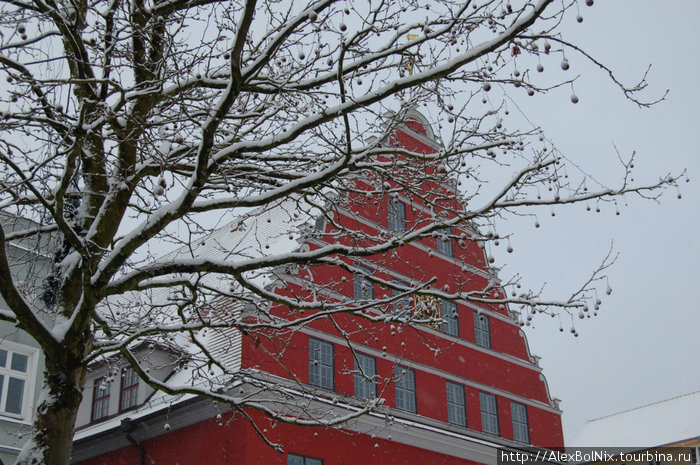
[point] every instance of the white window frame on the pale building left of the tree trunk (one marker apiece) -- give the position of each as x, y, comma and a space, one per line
26, 414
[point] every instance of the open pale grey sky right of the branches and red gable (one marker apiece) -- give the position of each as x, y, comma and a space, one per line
642, 347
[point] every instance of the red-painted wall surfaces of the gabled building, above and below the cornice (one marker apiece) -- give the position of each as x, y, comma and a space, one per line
501, 370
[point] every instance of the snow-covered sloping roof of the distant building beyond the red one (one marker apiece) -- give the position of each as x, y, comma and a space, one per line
657, 424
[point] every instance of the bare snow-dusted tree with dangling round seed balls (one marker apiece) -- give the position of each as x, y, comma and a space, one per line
129, 125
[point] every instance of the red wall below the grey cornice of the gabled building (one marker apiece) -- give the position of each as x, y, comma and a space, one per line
235, 443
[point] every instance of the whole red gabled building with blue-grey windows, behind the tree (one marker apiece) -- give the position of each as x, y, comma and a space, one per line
456, 384
